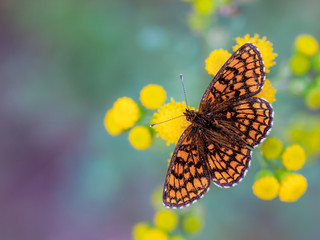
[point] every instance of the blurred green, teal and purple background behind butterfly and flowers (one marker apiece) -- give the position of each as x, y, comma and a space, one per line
63, 63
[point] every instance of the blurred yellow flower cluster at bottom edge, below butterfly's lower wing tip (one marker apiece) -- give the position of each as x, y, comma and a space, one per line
166, 222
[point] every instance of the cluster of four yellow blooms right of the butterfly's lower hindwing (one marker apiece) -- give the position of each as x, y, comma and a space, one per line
289, 186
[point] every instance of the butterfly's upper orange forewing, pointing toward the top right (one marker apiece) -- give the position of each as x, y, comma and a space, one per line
242, 76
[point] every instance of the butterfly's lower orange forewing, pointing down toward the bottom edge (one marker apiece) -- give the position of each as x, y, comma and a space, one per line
187, 178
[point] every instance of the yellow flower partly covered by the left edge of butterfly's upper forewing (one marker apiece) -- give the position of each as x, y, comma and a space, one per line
216, 60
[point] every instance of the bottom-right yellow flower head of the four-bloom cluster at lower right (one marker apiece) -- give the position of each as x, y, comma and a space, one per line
292, 187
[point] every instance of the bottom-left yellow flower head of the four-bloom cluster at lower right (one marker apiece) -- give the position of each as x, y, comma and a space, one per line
266, 185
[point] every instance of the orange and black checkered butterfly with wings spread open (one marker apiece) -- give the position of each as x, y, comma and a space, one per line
218, 143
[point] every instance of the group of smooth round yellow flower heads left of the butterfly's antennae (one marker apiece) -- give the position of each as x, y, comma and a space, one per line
125, 113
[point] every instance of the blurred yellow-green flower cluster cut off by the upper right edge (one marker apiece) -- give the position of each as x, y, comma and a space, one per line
305, 63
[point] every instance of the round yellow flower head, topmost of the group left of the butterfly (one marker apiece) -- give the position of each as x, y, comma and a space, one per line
152, 96
